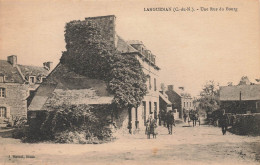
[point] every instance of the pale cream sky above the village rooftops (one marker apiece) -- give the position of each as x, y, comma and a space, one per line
190, 47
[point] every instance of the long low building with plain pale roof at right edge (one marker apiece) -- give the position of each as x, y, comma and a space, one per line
241, 98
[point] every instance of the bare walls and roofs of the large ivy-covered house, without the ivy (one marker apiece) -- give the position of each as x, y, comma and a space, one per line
136, 117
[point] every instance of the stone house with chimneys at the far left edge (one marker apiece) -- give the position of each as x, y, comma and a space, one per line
17, 85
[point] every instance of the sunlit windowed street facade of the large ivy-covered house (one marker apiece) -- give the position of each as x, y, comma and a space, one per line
150, 103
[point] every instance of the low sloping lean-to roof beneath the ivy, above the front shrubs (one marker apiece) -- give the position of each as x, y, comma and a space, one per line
66, 86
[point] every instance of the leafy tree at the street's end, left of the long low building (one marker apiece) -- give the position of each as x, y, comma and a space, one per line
209, 97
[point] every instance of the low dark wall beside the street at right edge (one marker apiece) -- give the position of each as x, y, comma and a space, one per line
246, 124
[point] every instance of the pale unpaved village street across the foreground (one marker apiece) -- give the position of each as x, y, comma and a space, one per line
188, 145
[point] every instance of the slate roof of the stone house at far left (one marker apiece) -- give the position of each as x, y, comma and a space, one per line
21, 73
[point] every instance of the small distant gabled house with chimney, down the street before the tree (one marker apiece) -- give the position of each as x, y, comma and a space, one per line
180, 99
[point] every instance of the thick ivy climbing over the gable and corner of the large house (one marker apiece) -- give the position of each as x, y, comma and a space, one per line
89, 54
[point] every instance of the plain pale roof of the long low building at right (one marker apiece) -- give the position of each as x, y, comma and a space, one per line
232, 93
